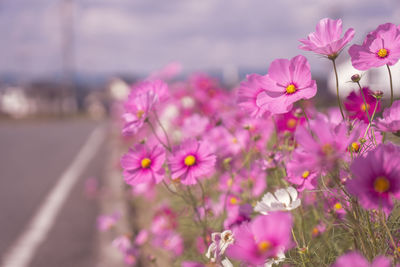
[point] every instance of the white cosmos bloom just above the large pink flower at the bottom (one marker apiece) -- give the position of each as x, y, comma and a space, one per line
282, 200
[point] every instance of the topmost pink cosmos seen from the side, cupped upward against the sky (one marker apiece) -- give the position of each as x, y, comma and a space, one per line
326, 40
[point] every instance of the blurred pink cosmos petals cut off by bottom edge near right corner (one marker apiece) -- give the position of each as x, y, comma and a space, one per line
355, 259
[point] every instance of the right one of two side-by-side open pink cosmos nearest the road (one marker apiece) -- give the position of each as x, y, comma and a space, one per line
192, 160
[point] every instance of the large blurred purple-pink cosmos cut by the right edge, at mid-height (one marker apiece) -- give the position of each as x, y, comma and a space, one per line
377, 177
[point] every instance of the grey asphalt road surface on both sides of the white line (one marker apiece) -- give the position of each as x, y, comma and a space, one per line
33, 156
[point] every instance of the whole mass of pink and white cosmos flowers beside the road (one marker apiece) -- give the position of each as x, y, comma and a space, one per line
257, 176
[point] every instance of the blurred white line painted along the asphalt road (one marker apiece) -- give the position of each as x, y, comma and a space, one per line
23, 250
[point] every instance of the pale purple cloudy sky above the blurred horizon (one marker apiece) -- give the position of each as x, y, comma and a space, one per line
140, 36
